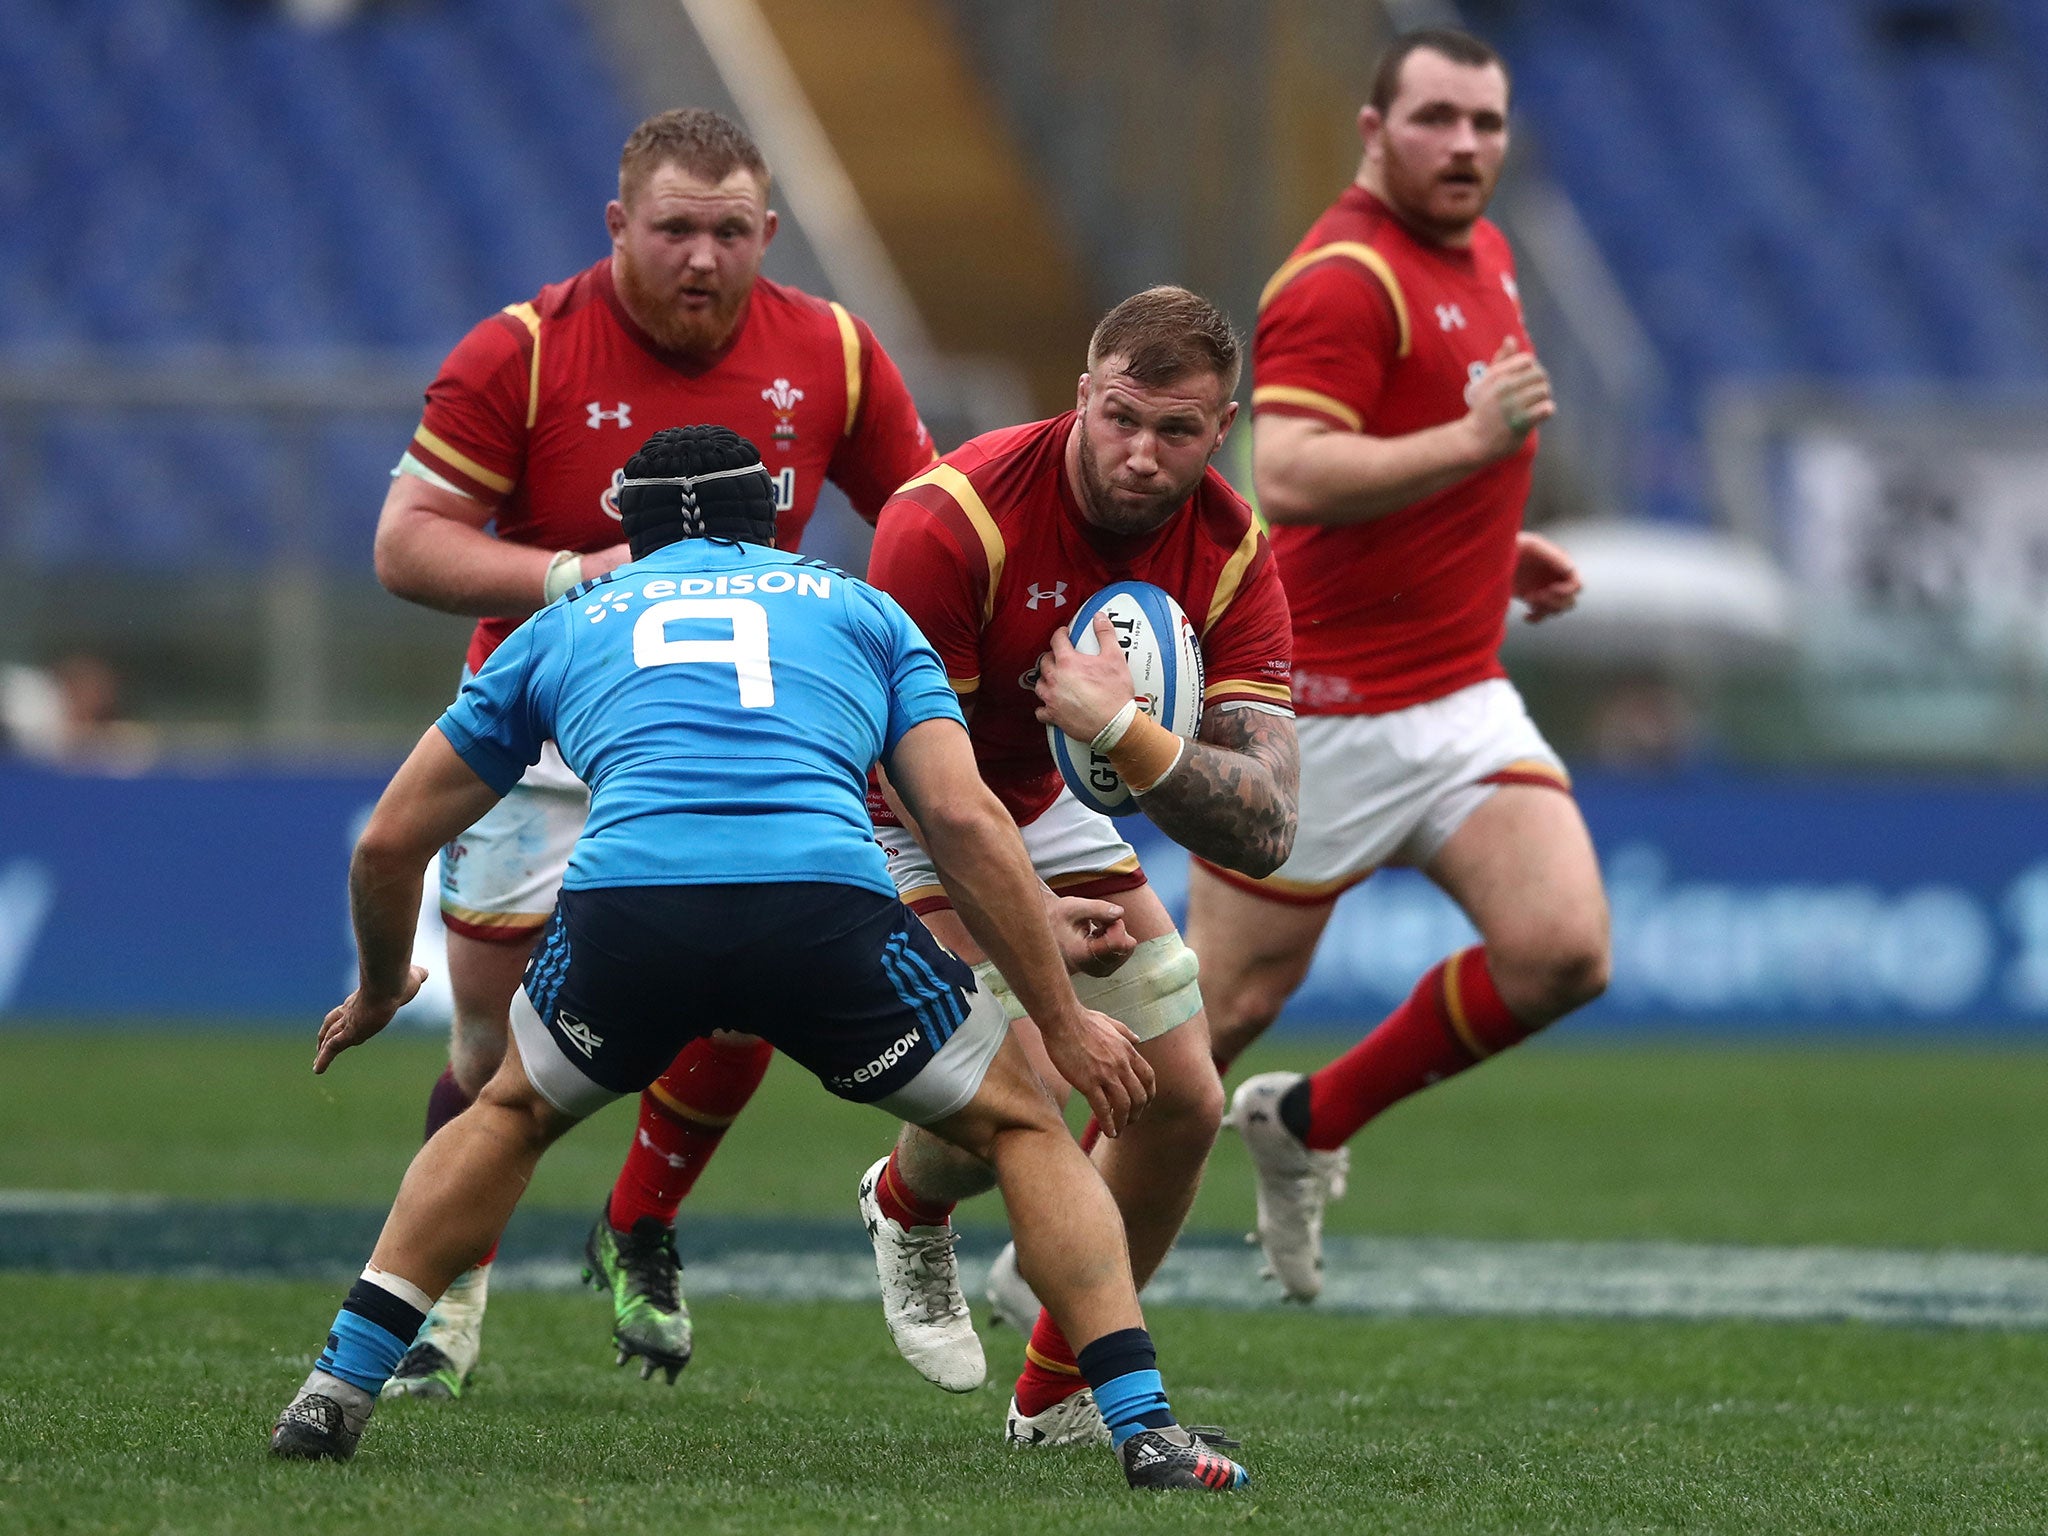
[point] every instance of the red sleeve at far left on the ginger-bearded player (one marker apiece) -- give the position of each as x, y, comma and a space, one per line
474, 427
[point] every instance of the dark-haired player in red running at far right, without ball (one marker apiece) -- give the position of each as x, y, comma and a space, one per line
1396, 404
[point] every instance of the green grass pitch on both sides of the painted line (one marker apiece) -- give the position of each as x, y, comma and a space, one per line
142, 1406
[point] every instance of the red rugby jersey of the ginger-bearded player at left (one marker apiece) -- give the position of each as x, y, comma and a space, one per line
544, 402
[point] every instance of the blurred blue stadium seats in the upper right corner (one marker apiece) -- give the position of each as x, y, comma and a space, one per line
1830, 189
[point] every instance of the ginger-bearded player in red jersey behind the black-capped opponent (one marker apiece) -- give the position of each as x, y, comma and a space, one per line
507, 499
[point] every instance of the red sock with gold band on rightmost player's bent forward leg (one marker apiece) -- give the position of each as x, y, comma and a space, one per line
1453, 1021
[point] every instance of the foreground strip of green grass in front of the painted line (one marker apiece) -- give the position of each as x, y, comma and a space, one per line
142, 1408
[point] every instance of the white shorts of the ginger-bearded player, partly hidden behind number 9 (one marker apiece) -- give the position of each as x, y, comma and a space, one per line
499, 880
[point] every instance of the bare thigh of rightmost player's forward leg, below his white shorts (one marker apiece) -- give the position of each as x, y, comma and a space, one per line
1523, 867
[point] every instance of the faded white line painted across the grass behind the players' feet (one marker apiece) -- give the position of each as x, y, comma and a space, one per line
142, 1234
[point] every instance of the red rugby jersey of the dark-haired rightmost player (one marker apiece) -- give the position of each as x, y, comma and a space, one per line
1377, 331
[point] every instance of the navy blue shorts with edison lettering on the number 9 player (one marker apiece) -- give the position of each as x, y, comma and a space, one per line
843, 980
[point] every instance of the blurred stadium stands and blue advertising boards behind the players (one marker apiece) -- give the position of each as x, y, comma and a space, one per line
1787, 263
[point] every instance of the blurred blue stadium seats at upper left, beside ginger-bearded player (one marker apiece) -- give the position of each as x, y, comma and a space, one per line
191, 179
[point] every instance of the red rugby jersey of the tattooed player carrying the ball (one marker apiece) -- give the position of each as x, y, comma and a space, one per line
990, 556
